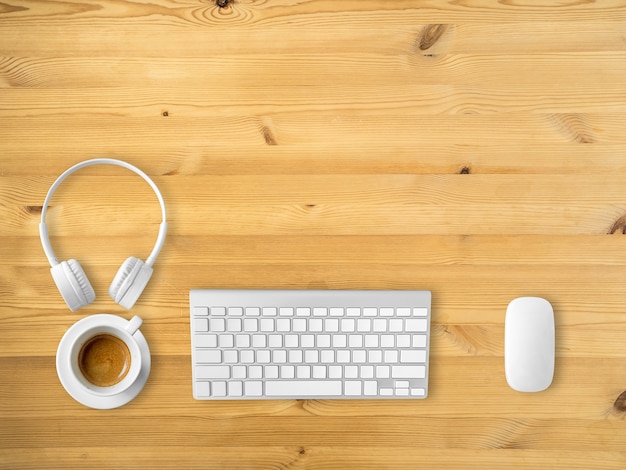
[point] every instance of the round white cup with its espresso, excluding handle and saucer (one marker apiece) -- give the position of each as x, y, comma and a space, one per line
106, 360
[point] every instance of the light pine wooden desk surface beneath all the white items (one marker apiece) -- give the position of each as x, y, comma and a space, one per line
475, 149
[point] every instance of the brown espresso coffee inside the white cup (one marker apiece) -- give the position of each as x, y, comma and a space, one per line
104, 360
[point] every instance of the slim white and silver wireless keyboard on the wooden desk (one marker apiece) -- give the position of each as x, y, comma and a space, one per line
302, 344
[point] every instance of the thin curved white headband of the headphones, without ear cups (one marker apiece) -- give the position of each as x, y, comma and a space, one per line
43, 228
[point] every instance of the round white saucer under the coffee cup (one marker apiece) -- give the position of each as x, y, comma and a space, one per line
71, 384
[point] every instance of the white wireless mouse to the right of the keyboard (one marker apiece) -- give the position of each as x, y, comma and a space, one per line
529, 344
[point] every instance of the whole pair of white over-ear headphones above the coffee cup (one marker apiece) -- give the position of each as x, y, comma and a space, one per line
133, 275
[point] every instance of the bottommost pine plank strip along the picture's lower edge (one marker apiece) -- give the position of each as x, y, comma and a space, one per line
305, 456
